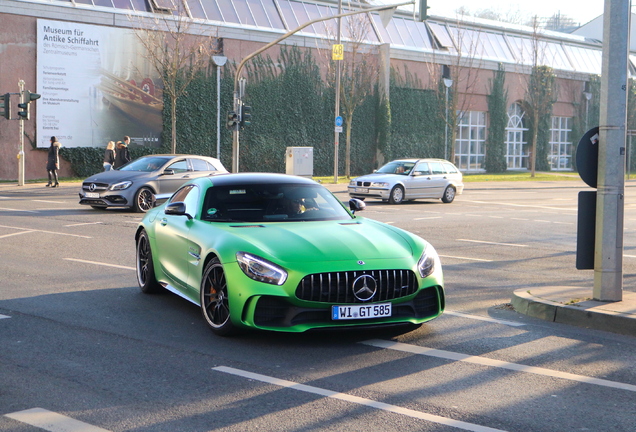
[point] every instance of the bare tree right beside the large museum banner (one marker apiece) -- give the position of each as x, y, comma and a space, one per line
176, 48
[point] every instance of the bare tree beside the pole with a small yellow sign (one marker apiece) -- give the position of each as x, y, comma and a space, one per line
359, 73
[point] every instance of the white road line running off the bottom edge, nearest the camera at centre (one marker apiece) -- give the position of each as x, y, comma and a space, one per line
357, 400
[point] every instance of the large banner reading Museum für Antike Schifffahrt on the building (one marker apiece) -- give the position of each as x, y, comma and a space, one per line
96, 87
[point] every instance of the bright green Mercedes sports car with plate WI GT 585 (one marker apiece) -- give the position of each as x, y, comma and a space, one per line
278, 252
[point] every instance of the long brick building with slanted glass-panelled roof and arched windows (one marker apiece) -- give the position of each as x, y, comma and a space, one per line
80, 55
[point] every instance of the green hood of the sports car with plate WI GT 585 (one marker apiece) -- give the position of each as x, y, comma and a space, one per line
361, 239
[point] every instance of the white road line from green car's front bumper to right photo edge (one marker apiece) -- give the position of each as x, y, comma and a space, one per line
484, 361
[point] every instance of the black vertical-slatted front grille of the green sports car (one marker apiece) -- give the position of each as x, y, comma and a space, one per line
337, 287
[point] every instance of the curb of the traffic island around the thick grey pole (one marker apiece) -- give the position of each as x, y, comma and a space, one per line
606, 320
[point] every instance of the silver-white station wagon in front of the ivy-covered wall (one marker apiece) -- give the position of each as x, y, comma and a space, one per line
409, 179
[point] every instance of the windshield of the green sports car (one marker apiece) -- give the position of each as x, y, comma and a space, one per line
271, 203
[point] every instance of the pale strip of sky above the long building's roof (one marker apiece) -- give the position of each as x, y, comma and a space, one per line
581, 11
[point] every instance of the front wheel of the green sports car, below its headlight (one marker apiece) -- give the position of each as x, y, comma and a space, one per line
214, 299
